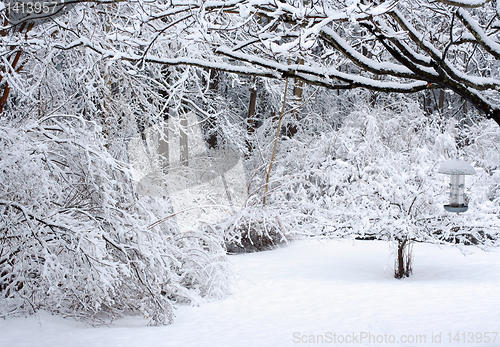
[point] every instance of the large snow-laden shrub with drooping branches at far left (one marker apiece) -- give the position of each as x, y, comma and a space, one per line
75, 239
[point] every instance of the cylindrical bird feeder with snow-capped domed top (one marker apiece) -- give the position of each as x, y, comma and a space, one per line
457, 169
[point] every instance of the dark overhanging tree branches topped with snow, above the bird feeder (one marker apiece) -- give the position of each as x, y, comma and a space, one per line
387, 46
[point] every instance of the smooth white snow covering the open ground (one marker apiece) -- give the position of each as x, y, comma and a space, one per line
314, 292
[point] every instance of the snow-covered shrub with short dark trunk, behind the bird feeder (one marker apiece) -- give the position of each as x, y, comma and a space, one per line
376, 177
